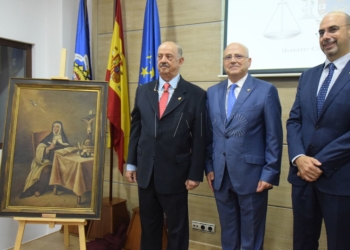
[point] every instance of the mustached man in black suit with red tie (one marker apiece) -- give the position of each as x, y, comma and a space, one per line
167, 150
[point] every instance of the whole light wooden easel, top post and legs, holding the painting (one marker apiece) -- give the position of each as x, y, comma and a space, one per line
51, 221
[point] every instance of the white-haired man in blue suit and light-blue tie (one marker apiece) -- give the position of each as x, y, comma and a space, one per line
244, 150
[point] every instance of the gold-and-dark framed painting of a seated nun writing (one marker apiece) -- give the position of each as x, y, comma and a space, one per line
53, 152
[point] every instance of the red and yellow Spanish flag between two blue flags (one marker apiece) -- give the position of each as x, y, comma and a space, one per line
118, 93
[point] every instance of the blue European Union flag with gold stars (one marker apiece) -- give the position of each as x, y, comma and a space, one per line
150, 44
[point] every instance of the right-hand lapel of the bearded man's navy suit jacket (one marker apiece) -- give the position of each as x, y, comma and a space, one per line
339, 84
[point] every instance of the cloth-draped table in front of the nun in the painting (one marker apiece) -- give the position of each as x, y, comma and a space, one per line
72, 172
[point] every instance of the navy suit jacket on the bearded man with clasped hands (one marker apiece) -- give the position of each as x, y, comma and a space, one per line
327, 137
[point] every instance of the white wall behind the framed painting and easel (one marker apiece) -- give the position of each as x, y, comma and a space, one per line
49, 26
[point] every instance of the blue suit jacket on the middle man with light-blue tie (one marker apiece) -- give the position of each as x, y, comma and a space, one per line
250, 141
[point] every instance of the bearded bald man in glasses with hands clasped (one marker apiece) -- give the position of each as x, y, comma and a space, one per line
318, 133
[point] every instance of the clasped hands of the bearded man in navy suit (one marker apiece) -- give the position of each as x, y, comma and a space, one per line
308, 168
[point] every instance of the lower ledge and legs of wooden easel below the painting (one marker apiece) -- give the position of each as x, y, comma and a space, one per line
52, 222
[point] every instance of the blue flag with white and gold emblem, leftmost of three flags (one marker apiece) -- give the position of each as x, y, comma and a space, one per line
82, 59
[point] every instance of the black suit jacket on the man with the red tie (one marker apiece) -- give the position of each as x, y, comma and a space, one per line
173, 147
